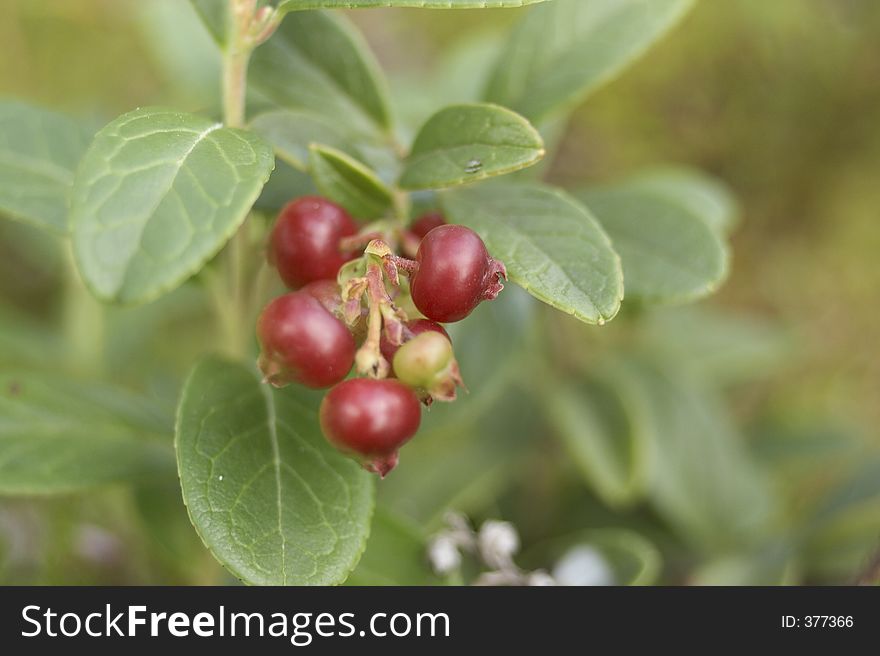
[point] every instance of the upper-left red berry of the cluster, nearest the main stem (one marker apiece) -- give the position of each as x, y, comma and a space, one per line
305, 241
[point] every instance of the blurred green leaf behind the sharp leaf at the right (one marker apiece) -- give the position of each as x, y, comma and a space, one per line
669, 253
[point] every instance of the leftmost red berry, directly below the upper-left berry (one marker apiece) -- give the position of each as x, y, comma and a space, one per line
302, 342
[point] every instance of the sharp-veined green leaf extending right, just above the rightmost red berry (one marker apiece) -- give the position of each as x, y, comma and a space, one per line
551, 244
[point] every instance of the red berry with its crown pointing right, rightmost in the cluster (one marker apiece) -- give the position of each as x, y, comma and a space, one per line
455, 273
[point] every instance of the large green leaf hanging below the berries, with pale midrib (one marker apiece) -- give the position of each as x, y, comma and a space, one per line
271, 499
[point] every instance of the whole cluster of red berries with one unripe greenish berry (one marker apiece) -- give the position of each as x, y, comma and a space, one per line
346, 312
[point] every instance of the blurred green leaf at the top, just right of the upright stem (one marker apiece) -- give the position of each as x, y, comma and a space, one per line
318, 61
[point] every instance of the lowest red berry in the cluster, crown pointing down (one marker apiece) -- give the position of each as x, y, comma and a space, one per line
370, 419
